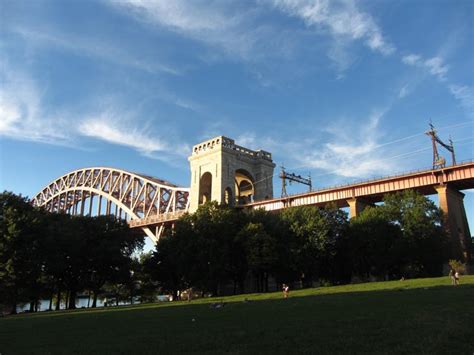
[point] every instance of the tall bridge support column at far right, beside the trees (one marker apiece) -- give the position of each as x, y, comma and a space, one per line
452, 204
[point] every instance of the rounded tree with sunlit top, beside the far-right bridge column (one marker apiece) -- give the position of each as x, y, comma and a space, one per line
403, 237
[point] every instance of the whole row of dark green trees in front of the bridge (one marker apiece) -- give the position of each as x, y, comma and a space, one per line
215, 249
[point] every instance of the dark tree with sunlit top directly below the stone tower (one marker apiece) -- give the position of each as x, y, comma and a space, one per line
203, 250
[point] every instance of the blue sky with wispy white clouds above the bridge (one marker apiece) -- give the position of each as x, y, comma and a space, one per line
341, 89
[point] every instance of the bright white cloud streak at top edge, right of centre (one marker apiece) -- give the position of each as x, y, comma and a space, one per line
340, 19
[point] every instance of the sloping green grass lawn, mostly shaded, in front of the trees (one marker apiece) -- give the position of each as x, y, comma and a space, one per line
426, 316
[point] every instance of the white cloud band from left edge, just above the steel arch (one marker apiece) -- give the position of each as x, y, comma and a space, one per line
24, 117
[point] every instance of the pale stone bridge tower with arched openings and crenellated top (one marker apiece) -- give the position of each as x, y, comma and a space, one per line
227, 173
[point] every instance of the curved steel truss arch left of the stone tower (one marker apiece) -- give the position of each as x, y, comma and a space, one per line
109, 191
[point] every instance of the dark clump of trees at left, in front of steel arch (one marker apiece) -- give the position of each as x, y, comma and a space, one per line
43, 254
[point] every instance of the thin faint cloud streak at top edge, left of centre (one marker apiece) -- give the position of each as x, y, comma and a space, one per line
215, 23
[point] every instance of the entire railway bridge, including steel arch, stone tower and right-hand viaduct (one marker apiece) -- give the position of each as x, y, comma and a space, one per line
225, 172
